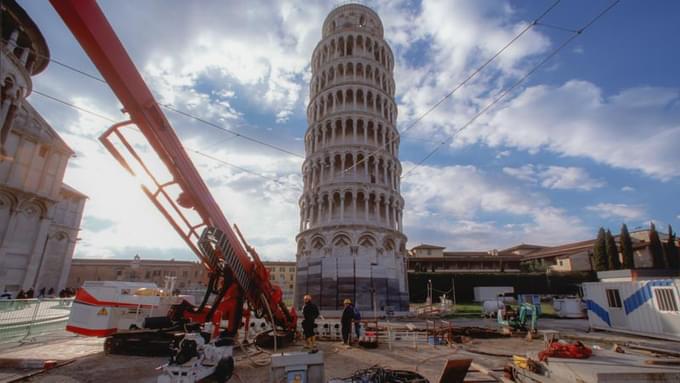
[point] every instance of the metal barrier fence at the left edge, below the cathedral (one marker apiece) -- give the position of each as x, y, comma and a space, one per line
23, 319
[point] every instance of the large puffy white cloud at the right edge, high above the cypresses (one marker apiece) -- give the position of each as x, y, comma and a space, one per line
636, 129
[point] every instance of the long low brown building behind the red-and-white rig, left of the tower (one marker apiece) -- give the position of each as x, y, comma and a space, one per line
189, 275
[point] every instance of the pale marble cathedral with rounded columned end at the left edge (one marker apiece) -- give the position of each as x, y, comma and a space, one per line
39, 214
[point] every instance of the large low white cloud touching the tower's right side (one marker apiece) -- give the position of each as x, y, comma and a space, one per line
447, 204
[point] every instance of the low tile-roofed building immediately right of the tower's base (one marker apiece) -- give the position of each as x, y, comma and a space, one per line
431, 258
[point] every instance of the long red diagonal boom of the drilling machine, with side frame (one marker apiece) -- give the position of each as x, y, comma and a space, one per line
182, 197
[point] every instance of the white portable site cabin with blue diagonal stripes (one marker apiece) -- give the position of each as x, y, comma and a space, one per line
641, 302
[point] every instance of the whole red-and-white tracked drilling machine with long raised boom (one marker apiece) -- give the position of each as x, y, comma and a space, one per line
239, 282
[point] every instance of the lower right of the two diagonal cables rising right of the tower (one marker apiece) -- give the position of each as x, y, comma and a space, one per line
566, 42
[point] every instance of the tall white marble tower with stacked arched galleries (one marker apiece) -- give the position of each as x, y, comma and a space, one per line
351, 243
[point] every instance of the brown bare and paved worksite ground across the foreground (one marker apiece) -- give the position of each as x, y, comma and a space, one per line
91, 365
